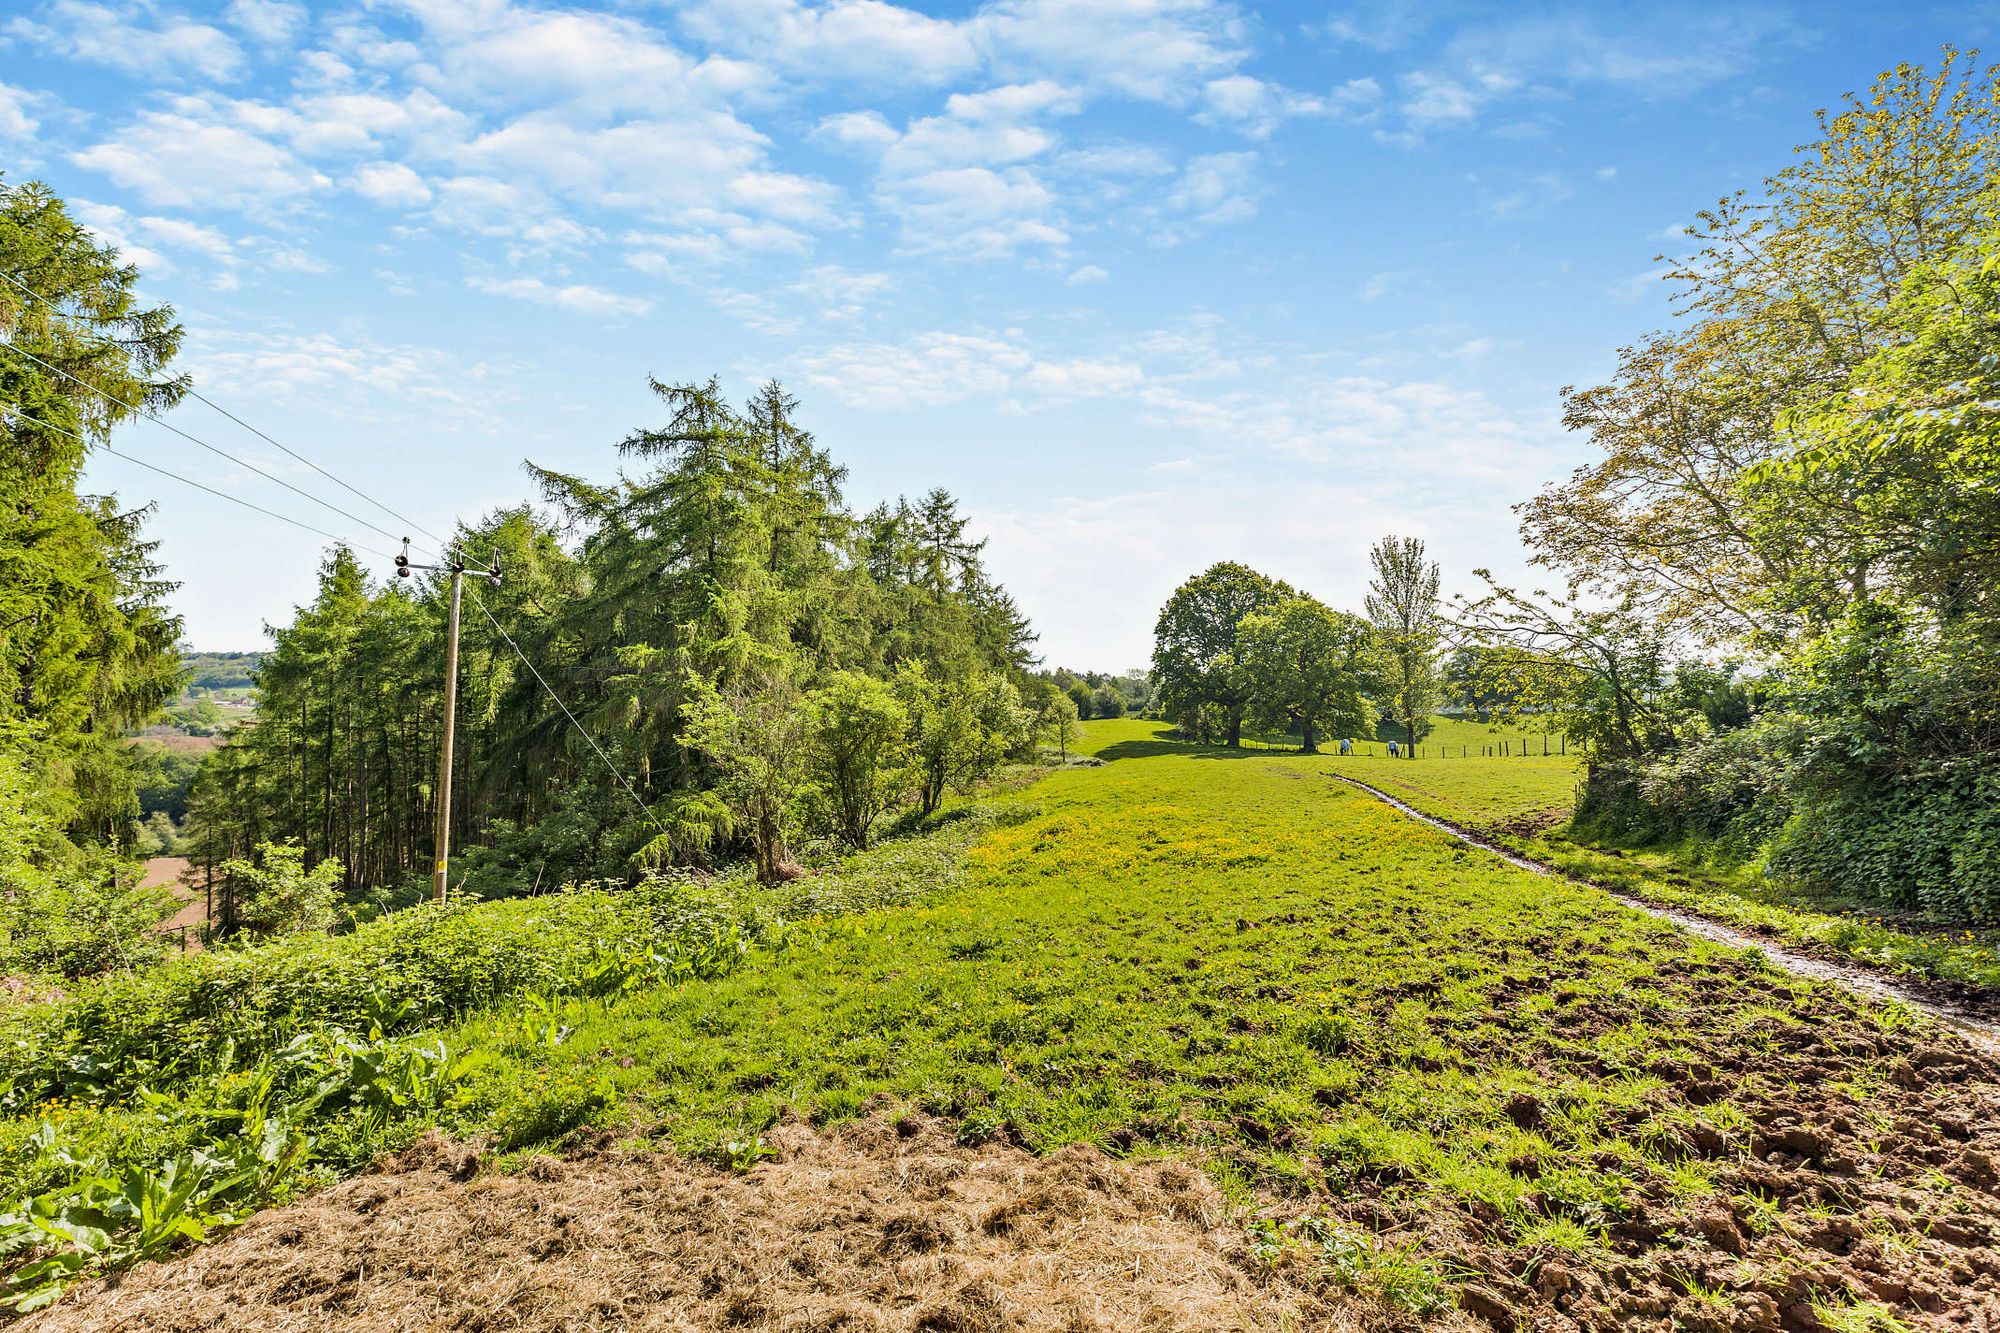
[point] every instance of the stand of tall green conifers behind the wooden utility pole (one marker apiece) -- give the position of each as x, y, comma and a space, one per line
723, 567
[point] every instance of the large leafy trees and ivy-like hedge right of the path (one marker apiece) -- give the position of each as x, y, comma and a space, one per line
1809, 473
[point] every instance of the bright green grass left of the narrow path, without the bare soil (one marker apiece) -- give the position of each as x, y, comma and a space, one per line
1233, 954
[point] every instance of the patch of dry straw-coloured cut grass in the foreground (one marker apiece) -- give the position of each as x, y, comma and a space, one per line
881, 1226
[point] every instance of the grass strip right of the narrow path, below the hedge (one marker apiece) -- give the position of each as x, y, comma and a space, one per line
1523, 804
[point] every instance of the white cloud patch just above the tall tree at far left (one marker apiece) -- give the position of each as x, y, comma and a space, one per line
193, 157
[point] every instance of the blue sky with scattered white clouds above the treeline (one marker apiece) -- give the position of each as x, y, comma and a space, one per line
1145, 283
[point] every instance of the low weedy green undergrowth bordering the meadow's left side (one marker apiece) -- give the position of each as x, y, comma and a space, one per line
155, 1110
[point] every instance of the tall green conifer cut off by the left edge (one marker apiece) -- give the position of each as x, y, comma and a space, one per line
87, 645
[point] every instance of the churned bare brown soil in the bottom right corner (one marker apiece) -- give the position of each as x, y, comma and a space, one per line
1857, 1186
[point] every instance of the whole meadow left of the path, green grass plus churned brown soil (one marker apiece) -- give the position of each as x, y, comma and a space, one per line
1441, 1080
